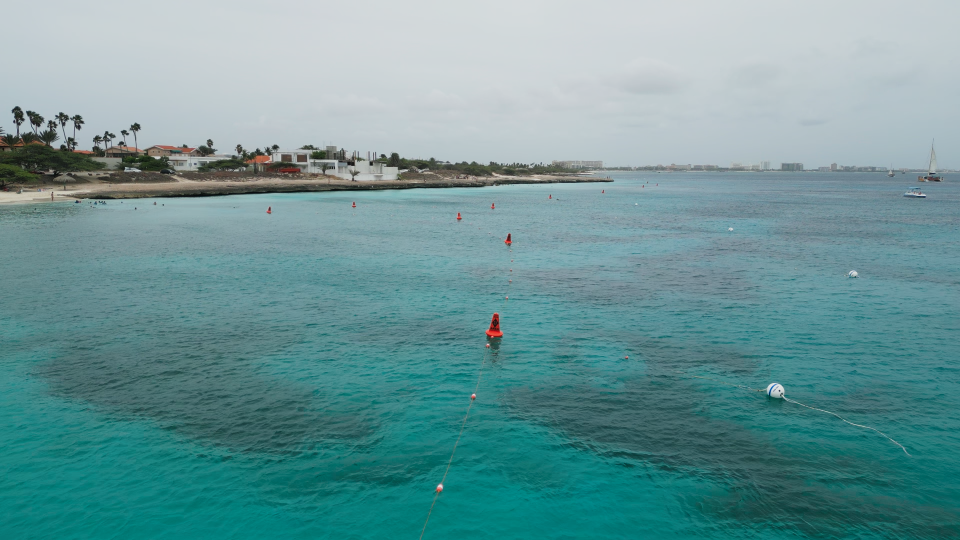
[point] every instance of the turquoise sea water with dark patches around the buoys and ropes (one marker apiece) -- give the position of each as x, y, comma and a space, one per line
204, 370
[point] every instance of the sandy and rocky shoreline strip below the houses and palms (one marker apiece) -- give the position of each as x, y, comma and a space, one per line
182, 187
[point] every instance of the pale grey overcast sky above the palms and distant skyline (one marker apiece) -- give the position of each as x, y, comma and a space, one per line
628, 82
